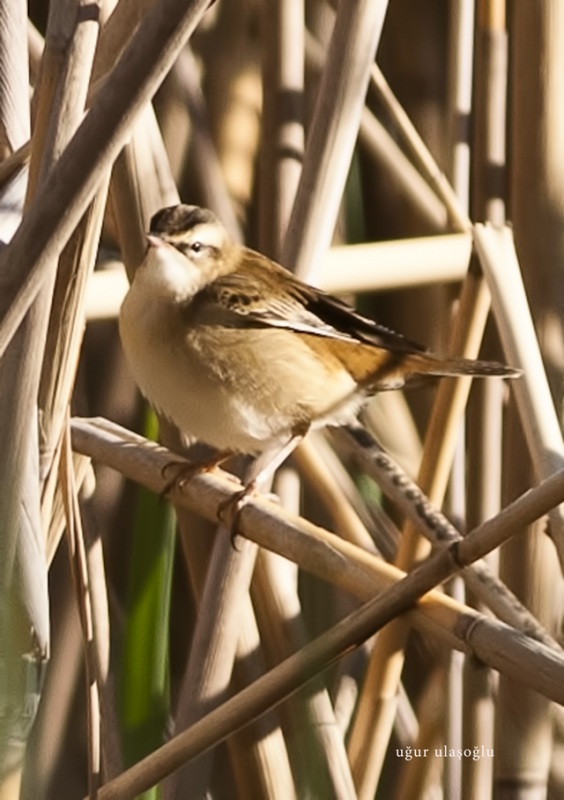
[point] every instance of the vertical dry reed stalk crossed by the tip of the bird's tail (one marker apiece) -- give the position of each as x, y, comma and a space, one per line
486, 409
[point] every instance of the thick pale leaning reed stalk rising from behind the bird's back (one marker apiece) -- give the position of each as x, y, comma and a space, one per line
332, 134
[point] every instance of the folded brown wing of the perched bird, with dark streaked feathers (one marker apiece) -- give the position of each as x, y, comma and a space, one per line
267, 295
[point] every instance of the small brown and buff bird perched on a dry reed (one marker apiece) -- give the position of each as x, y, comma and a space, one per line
243, 356
